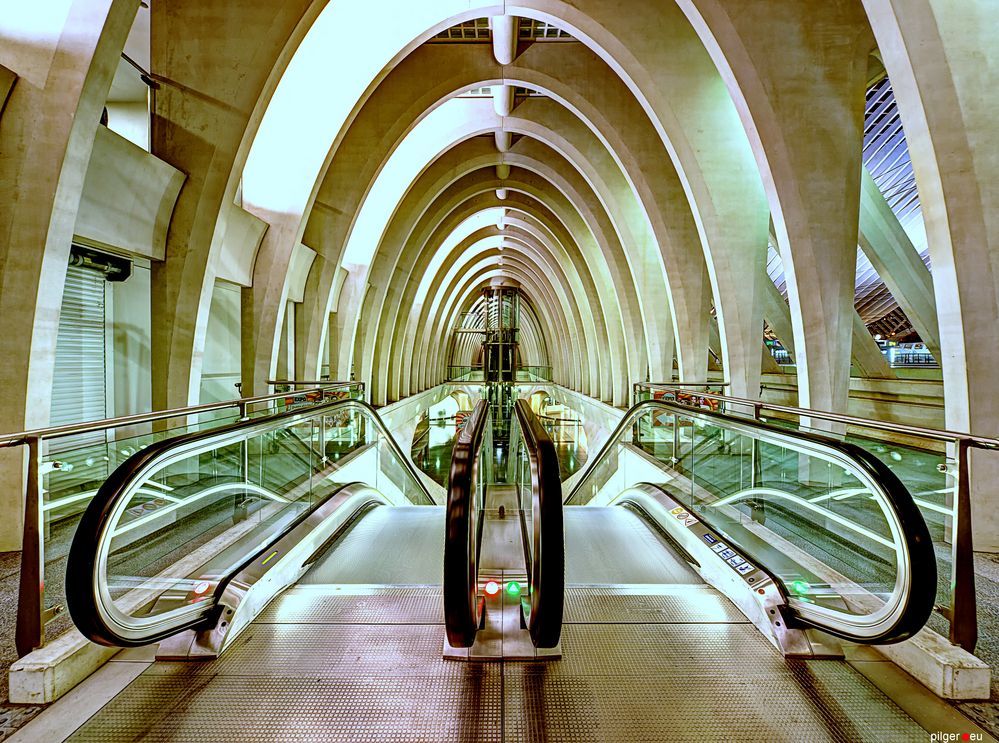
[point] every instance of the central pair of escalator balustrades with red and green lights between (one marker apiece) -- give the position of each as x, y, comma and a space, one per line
504, 549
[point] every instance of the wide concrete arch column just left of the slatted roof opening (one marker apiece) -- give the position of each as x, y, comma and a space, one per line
799, 89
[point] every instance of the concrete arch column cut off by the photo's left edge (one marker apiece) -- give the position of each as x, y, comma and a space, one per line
65, 53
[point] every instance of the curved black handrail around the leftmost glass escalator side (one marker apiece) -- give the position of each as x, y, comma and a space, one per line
84, 600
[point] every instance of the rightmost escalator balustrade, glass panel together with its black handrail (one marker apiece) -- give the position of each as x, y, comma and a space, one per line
832, 525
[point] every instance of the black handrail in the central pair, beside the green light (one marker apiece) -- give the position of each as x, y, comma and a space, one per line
546, 571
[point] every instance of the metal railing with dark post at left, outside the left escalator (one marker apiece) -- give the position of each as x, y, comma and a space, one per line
32, 614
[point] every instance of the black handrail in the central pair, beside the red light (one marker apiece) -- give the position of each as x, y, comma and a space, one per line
463, 533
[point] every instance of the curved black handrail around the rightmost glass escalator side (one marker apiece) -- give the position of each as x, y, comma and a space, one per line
916, 596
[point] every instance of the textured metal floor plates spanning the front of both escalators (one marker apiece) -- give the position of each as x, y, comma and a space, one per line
359, 663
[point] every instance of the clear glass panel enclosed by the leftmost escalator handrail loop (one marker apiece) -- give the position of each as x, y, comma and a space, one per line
197, 511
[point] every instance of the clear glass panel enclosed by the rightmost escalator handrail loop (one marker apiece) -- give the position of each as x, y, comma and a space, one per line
806, 511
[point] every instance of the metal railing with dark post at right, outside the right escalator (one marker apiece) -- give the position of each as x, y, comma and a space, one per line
962, 612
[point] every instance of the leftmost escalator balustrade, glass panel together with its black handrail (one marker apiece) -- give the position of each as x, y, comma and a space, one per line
233, 503
